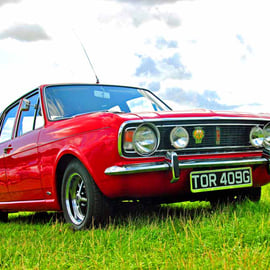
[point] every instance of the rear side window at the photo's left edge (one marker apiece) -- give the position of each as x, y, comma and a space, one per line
8, 124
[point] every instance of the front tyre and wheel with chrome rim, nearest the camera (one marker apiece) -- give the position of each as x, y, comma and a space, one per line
83, 203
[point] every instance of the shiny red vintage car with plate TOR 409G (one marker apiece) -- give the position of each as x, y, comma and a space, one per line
78, 148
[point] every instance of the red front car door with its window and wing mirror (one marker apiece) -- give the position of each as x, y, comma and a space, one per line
22, 159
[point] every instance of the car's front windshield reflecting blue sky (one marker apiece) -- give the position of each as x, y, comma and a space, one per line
64, 101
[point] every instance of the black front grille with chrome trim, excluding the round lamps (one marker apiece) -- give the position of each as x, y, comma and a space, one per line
233, 135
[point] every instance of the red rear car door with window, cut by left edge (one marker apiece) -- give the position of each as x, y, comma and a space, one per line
8, 120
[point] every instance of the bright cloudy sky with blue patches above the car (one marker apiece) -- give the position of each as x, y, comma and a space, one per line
192, 53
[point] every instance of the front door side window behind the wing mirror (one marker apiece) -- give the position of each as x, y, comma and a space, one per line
30, 119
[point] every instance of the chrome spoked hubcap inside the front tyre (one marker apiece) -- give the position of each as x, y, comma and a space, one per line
76, 198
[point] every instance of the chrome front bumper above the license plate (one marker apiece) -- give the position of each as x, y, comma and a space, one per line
169, 165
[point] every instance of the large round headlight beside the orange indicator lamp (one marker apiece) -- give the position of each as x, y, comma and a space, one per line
146, 139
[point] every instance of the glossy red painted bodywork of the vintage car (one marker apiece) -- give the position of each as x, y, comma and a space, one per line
28, 179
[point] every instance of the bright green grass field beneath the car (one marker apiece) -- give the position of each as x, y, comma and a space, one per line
178, 236
